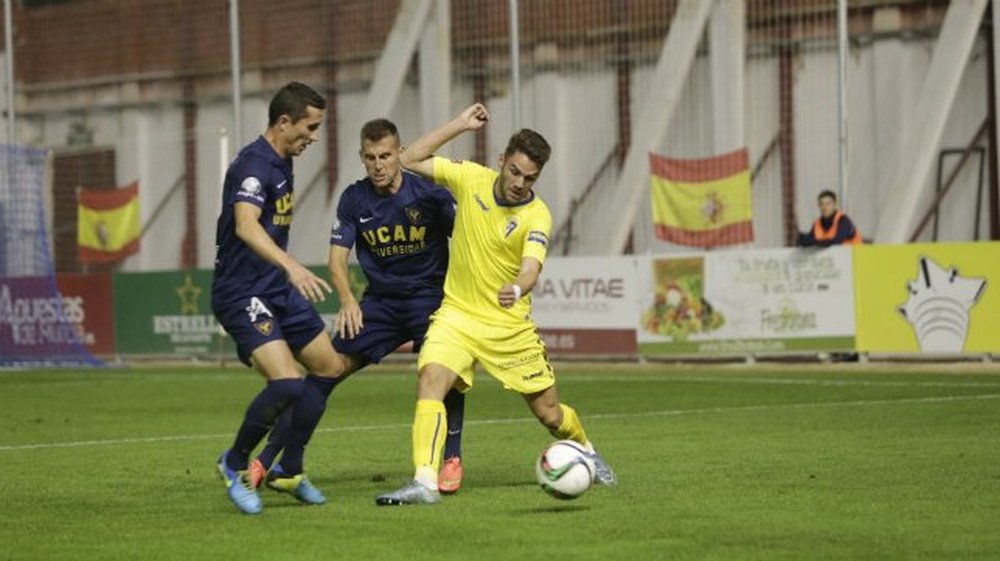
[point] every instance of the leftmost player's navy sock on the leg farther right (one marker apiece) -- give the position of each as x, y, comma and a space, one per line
303, 419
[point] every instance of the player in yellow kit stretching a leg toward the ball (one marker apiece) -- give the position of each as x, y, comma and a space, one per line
498, 246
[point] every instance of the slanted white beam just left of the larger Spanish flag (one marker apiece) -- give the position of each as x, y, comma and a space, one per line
664, 92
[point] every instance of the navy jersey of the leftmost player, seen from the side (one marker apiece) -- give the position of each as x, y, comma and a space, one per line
261, 177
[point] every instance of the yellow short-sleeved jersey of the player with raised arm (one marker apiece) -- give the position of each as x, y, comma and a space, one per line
489, 241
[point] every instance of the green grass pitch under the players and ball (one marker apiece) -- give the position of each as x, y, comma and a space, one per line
720, 462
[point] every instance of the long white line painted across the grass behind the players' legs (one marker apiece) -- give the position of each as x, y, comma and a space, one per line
667, 412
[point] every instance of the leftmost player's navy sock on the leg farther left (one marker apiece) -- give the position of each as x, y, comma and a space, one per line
260, 416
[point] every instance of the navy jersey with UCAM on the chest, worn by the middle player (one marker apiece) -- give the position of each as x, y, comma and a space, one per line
401, 240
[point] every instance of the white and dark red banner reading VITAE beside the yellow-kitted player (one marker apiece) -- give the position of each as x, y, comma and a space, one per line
587, 305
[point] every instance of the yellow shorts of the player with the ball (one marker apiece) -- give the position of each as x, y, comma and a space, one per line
513, 354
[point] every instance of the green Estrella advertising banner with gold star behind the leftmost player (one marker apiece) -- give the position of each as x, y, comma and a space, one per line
170, 313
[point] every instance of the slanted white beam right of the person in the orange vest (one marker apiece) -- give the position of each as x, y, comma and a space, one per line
921, 133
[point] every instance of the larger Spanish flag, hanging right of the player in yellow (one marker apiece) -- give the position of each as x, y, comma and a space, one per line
704, 202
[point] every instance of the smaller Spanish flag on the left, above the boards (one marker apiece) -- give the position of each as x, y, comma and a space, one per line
108, 224
